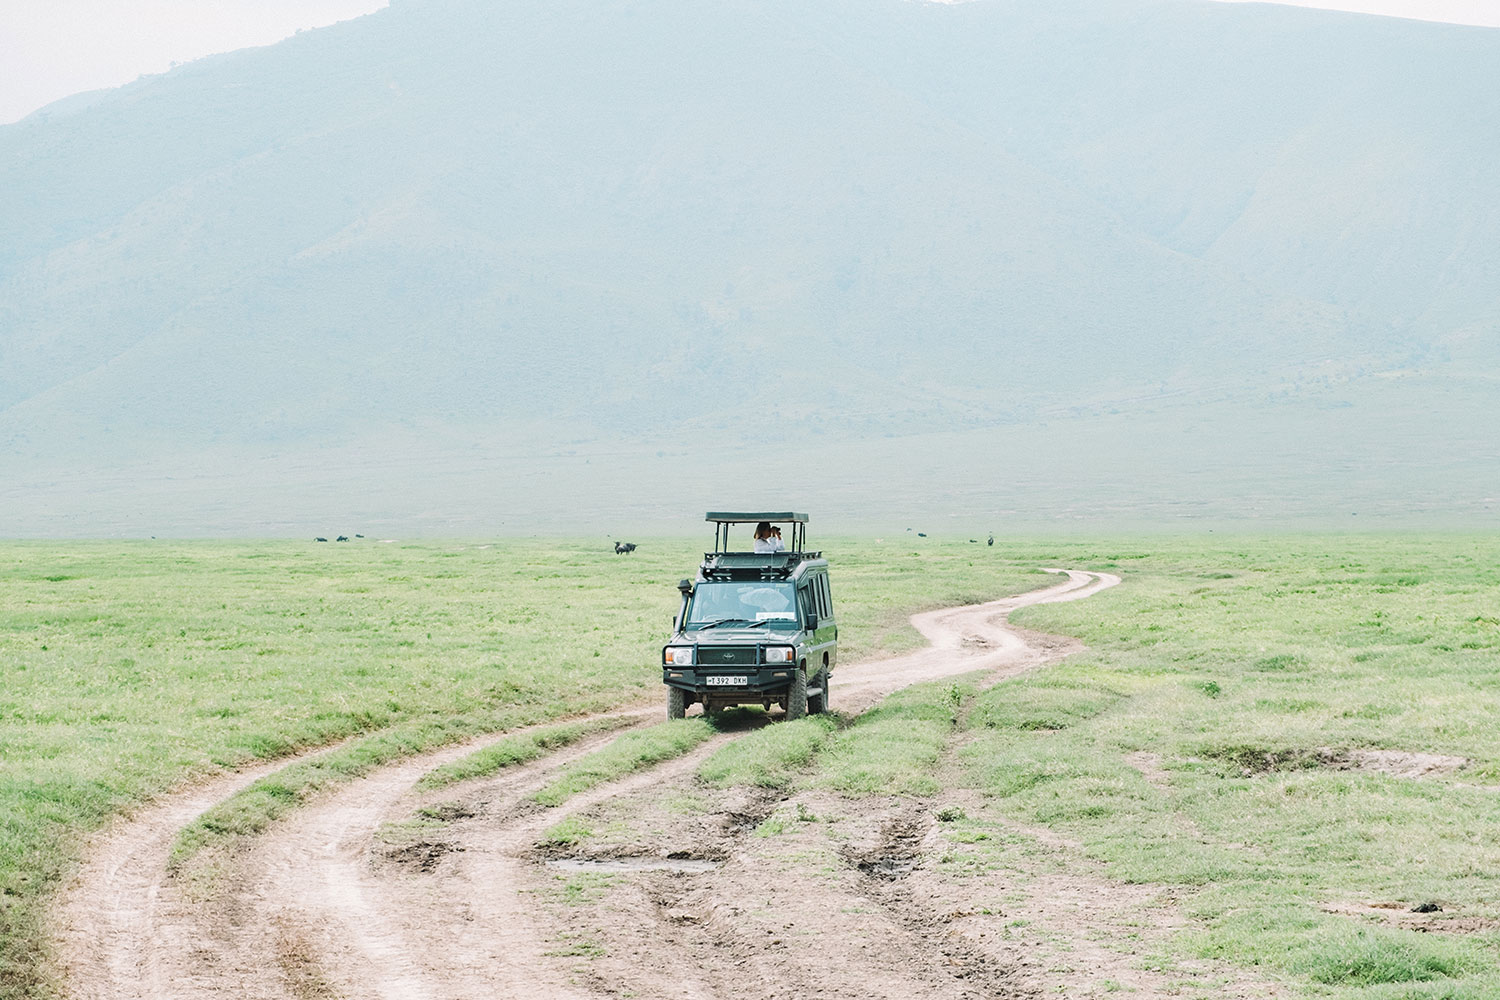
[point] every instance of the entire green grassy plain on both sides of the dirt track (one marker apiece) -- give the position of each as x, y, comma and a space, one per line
1237, 731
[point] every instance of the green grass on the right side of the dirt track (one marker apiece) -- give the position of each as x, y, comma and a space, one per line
1250, 671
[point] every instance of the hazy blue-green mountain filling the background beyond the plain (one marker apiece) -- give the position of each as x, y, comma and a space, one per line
443, 259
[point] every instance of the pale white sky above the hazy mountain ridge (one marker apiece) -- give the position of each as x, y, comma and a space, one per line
53, 49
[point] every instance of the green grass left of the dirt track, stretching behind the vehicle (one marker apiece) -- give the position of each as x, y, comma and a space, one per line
130, 668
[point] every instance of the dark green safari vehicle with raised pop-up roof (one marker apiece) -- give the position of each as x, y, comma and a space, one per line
755, 629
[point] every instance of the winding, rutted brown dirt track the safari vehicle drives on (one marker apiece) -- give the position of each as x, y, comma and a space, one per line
677, 899
